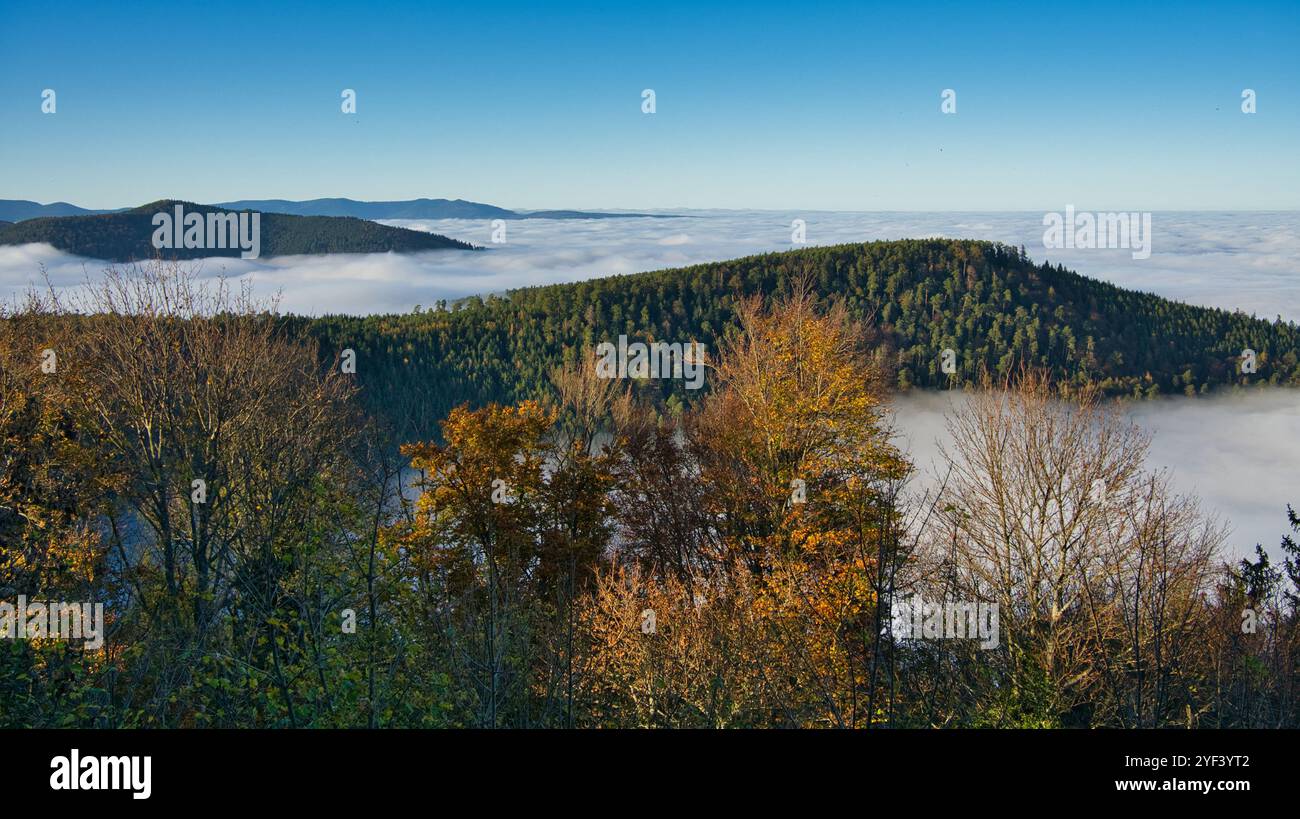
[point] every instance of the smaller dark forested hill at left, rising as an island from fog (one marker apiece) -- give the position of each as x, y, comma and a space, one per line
128, 235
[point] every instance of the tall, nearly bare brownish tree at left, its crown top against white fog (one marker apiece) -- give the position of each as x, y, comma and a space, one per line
222, 440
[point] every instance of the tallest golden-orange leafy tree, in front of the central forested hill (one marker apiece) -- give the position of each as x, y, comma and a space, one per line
772, 504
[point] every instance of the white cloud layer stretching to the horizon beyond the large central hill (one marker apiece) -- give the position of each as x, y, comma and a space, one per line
1247, 262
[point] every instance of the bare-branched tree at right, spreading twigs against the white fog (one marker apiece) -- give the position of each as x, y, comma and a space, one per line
1094, 564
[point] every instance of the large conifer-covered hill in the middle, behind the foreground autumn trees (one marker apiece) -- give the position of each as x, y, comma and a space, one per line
987, 302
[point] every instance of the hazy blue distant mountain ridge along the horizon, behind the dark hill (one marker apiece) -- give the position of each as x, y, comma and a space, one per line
23, 210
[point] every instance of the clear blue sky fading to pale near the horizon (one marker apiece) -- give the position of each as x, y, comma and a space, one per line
788, 106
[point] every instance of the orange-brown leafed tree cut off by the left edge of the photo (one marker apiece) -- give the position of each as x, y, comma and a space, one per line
50, 551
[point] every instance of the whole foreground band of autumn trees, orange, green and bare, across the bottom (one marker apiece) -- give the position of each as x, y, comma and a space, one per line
266, 556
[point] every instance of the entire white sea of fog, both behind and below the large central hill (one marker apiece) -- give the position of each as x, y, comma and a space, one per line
1240, 454
